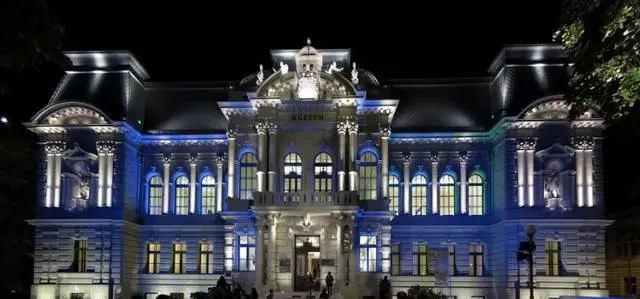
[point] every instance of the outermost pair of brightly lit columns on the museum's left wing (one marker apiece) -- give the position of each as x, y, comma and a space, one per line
53, 150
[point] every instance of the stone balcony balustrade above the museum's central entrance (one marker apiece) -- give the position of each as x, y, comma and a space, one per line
306, 198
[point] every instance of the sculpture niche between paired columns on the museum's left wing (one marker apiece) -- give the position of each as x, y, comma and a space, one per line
78, 176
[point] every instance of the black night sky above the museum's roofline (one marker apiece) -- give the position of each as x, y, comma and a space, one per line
215, 41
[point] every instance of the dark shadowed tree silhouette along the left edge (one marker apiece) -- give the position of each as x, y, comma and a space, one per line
31, 41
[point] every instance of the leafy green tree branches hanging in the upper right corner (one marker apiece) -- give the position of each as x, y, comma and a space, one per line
602, 38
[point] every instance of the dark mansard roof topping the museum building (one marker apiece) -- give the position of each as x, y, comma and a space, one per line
118, 87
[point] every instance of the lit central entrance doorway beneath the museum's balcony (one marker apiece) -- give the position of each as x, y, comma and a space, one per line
307, 263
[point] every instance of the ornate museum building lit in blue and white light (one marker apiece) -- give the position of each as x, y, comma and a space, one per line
315, 166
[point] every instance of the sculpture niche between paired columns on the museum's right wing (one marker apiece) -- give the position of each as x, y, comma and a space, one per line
555, 167
